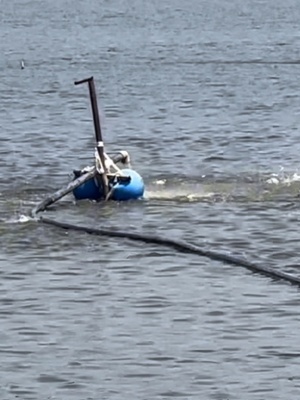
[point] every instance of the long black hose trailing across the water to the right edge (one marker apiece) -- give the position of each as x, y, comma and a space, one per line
180, 246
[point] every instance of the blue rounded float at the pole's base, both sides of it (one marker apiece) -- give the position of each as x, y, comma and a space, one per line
122, 190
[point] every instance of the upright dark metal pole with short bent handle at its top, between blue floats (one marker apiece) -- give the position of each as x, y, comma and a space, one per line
98, 133
